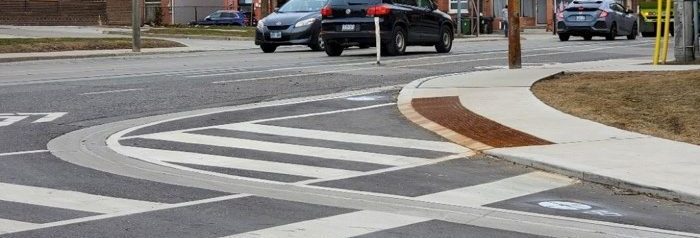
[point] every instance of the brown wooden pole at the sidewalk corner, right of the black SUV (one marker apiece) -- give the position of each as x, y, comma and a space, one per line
514, 59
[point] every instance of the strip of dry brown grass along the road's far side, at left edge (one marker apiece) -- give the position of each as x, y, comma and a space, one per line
26, 45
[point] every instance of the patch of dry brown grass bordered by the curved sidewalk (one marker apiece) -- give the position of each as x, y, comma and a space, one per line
661, 104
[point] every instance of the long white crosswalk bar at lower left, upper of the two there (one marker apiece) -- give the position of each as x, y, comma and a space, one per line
69, 199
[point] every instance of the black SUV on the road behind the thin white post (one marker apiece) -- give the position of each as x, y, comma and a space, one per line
402, 22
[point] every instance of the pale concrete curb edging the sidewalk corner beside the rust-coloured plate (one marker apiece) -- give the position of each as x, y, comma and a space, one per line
404, 103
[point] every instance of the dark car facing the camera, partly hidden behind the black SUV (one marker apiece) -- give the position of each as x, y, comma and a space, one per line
298, 22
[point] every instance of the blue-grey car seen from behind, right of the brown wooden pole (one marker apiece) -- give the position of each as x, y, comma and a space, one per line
596, 18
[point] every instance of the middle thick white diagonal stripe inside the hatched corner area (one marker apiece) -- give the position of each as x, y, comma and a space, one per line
319, 152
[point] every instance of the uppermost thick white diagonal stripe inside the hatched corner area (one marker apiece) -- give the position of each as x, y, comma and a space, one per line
346, 137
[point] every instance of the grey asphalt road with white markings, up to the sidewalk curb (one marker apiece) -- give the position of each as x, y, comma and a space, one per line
316, 156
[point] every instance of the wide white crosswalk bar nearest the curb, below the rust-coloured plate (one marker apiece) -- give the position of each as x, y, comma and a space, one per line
486, 193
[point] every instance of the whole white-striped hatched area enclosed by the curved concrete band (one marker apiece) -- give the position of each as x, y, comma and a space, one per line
357, 151
